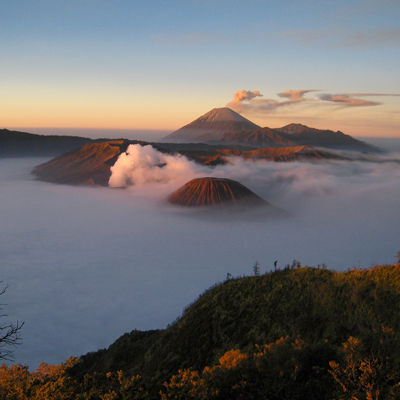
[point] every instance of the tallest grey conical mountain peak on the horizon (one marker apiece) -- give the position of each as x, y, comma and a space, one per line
211, 126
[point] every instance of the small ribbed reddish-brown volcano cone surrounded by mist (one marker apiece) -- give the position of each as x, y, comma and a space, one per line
215, 192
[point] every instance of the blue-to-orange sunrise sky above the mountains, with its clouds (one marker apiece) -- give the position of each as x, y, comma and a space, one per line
161, 64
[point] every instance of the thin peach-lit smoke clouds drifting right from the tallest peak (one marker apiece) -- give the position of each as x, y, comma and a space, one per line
246, 100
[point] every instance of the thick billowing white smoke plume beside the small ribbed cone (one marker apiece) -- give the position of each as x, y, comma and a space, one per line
142, 165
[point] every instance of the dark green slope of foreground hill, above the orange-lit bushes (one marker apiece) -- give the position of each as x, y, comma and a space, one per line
318, 307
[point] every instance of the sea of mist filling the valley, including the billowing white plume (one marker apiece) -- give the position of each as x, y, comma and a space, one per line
86, 265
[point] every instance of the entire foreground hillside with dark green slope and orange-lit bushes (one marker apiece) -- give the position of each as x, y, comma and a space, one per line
295, 333
